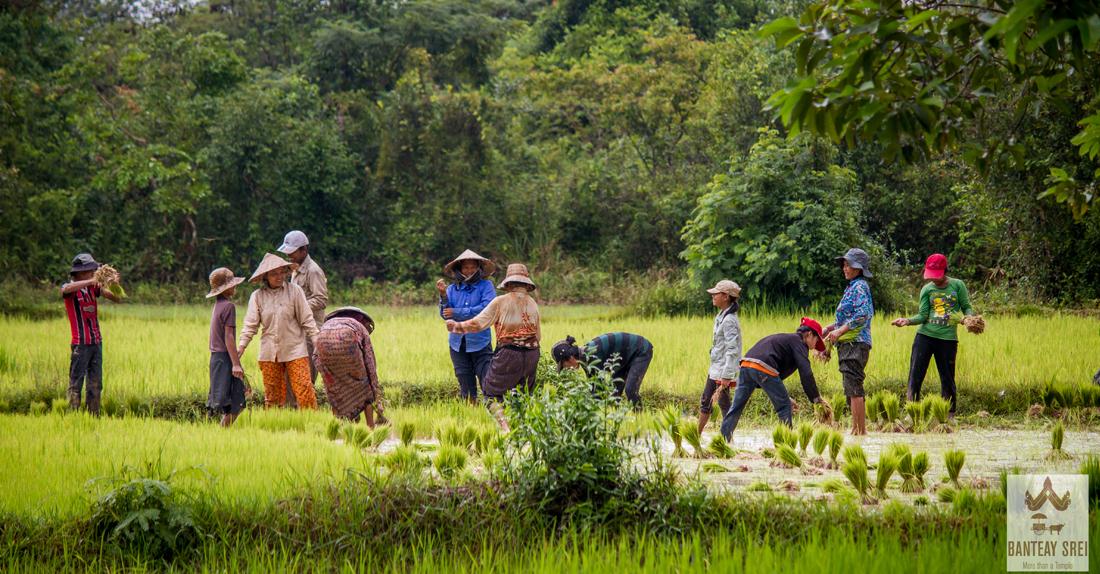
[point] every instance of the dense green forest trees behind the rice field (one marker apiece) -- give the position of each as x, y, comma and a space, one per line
628, 137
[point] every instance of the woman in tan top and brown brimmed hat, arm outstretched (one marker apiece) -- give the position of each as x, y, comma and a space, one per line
515, 317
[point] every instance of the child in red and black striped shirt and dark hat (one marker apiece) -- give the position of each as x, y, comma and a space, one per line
86, 346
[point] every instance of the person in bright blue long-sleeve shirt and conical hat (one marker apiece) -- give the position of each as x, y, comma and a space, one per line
469, 294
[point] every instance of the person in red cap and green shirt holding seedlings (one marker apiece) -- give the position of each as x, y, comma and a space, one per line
944, 303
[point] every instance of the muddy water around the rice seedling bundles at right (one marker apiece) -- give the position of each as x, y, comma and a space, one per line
988, 451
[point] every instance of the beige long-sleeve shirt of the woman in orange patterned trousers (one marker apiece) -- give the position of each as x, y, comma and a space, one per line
288, 322
